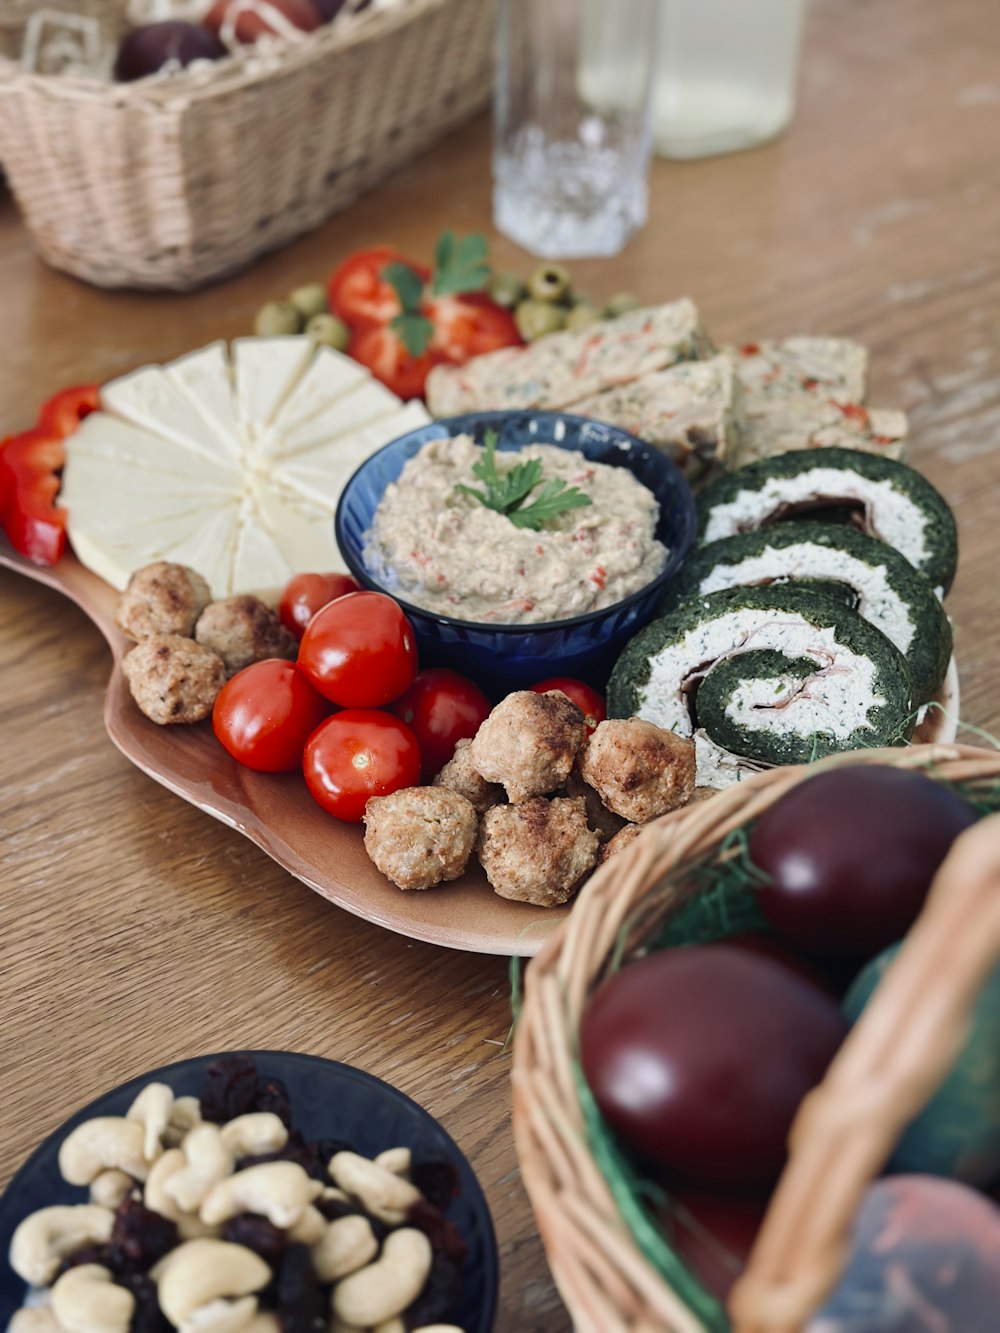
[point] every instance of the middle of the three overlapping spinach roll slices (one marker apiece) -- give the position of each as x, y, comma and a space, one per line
873, 577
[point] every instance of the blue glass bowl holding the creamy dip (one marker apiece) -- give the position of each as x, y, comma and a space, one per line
505, 658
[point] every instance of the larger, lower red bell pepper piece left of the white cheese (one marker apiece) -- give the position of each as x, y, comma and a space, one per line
30, 466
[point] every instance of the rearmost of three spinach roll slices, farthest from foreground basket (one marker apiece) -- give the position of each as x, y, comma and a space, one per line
886, 499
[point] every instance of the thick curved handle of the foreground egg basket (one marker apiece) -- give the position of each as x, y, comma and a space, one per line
890, 1067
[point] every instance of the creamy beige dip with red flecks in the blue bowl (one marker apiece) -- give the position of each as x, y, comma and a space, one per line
442, 550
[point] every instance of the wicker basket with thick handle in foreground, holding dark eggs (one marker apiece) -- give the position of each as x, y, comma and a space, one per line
845, 1134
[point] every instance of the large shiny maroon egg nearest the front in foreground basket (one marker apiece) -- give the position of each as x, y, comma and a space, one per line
699, 1059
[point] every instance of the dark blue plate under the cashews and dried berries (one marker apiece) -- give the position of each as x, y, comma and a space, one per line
329, 1102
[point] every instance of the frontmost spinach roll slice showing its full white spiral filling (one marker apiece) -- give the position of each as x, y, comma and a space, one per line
801, 675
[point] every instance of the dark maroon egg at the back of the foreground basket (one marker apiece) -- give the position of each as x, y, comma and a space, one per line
851, 855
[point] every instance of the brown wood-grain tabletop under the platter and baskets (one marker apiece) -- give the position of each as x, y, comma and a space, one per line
137, 931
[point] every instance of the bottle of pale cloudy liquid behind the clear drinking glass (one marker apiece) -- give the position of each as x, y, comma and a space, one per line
726, 75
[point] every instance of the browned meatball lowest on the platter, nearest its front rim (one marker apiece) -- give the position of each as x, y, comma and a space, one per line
538, 851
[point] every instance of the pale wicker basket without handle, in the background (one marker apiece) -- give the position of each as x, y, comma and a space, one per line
171, 183
